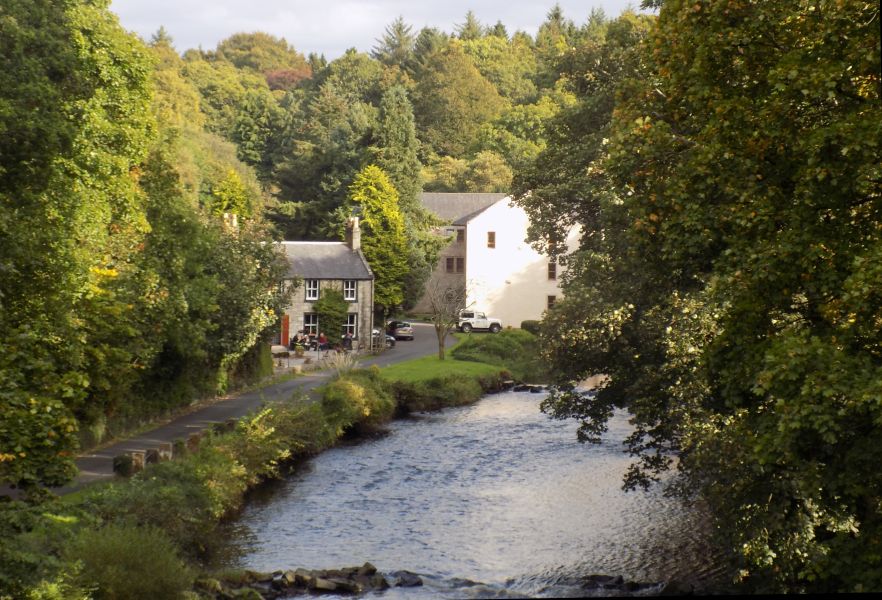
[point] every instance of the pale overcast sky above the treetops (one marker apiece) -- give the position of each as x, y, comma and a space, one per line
329, 27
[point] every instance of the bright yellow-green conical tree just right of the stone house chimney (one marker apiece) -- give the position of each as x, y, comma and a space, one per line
383, 239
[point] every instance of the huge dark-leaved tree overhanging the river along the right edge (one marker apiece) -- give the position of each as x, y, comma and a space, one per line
730, 214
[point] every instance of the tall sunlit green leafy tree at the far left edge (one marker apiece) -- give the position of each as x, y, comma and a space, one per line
75, 122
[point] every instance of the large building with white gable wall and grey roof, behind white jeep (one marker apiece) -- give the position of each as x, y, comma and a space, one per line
503, 275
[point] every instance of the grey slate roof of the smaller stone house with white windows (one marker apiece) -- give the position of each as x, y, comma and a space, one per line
325, 260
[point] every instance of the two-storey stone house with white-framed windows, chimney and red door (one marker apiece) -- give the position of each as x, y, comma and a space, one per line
329, 265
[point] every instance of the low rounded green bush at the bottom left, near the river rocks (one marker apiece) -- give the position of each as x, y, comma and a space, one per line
123, 562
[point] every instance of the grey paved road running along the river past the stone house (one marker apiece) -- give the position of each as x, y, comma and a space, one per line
98, 465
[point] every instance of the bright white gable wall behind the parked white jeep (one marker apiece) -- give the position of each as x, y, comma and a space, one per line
510, 281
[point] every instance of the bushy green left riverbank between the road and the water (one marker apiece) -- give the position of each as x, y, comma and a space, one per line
159, 526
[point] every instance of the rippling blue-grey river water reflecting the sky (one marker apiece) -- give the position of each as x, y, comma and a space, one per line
489, 500
